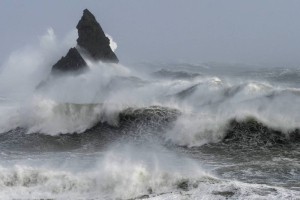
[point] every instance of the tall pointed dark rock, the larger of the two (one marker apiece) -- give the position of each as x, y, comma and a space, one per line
92, 38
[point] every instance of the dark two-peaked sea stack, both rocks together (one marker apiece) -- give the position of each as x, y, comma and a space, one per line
92, 40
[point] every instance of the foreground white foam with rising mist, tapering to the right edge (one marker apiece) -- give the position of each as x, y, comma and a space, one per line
123, 172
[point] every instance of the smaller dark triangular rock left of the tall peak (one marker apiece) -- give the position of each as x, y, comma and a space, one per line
71, 62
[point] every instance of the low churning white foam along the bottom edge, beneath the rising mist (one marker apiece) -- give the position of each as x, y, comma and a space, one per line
142, 184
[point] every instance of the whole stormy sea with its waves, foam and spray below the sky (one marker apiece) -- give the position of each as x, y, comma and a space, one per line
148, 130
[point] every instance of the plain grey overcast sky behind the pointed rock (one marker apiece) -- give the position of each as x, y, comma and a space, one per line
253, 31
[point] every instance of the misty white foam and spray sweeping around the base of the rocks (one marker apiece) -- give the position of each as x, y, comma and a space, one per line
33, 99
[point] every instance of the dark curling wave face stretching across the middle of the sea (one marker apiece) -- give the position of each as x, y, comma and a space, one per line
162, 124
